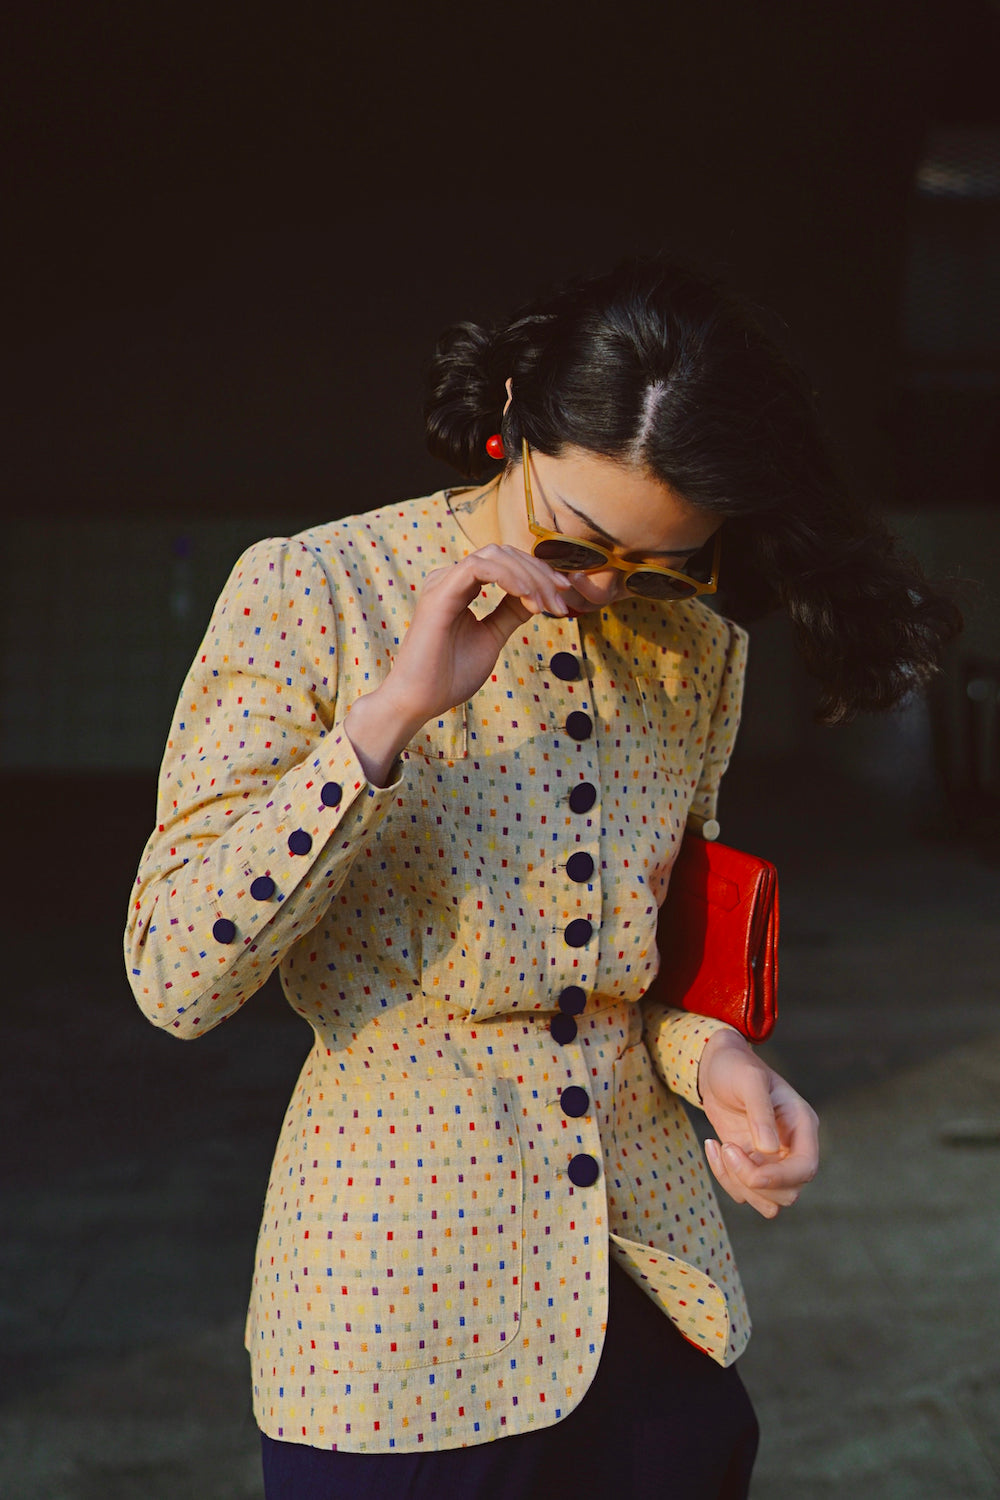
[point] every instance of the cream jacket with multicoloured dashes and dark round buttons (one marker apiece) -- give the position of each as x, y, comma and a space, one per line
488, 1112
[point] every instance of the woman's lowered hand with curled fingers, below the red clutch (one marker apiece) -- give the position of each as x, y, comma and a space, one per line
768, 1136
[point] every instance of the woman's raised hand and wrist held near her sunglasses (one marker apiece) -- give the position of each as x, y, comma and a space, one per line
448, 653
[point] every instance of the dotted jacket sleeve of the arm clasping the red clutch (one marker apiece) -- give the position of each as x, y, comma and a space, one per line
677, 1039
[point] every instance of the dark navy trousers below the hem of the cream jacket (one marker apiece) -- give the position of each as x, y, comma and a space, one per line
662, 1420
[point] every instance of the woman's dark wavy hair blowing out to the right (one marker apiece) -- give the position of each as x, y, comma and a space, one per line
657, 367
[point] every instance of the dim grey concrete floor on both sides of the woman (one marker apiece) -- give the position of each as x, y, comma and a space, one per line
134, 1189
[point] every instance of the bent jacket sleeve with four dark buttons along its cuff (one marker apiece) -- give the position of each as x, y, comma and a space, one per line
263, 805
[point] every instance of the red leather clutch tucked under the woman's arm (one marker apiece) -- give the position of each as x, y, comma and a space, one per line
719, 937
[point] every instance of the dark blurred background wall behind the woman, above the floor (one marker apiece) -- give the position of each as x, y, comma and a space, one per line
236, 236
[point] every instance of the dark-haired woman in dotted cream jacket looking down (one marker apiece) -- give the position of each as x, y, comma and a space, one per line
437, 763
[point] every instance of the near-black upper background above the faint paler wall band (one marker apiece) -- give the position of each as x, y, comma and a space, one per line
236, 236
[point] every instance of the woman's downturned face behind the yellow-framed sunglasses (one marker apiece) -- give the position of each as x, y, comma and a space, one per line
600, 500
